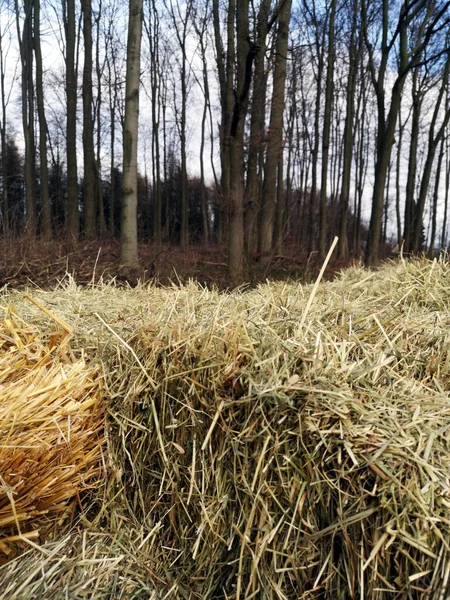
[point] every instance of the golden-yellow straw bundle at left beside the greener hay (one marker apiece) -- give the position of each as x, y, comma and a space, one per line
51, 431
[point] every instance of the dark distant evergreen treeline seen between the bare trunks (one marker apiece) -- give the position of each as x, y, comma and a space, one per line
201, 232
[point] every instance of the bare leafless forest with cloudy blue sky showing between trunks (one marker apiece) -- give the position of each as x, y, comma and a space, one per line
265, 127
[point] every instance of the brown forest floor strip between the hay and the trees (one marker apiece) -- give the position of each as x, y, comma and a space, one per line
24, 263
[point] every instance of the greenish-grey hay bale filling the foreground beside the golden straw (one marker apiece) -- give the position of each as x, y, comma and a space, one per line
280, 443
